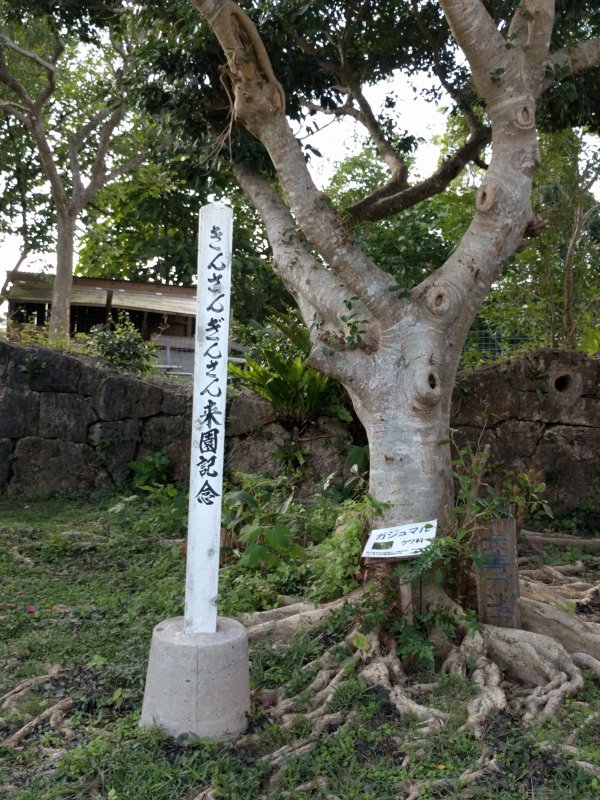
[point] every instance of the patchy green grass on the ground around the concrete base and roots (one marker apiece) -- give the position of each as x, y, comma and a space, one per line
85, 579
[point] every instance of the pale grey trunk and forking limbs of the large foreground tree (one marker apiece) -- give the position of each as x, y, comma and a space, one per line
401, 378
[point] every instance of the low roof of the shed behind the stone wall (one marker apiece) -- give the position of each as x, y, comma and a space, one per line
28, 287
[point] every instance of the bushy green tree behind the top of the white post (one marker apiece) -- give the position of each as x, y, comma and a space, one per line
145, 228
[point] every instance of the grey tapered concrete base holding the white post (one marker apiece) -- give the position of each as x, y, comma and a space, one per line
198, 684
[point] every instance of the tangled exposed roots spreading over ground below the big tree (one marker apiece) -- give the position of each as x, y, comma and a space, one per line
544, 659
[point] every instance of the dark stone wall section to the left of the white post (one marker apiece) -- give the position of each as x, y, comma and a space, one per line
69, 423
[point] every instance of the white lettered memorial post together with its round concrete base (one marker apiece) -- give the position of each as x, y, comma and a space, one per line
197, 684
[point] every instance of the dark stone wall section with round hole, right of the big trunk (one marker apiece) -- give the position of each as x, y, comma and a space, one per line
542, 411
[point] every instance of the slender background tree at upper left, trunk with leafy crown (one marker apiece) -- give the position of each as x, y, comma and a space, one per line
72, 102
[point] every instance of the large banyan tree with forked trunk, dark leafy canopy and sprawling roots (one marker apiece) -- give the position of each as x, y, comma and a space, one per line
507, 68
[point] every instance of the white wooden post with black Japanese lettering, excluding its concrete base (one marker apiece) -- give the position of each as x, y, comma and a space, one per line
208, 418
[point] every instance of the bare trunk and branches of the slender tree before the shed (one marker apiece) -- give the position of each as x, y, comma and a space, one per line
72, 187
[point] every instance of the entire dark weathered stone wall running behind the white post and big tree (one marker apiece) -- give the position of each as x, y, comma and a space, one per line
69, 423
